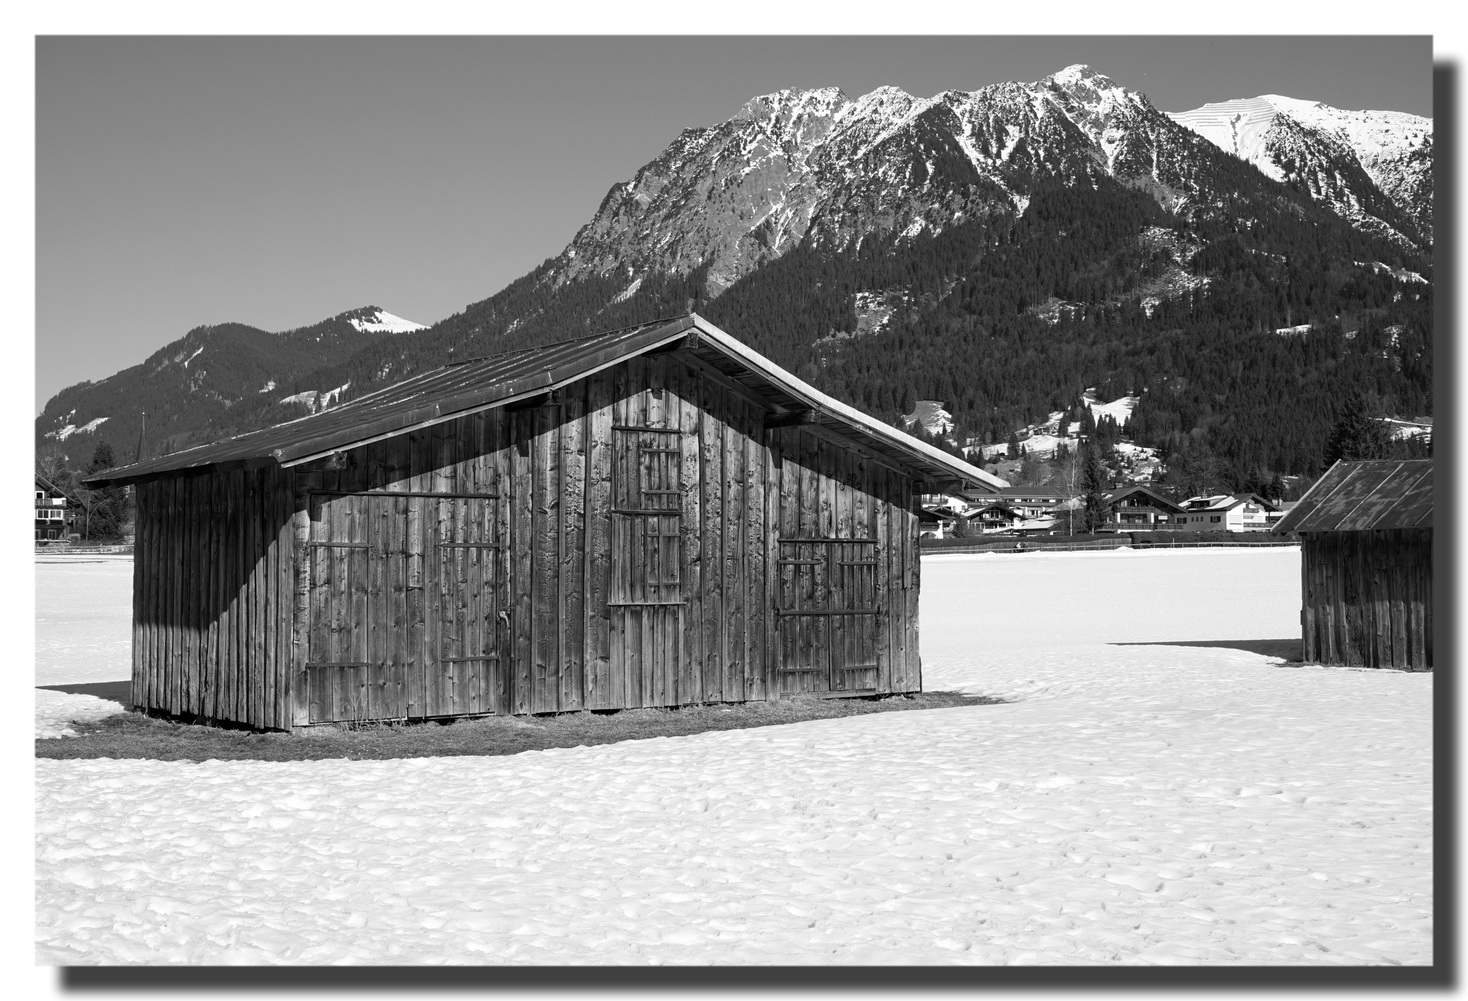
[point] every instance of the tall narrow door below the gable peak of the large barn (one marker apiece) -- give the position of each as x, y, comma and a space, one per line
647, 589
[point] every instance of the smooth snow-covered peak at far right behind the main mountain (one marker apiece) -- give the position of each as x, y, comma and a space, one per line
1372, 168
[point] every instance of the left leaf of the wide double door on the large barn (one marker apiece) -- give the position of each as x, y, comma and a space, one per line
352, 671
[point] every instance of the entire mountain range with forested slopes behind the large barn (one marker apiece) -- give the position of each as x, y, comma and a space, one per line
996, 250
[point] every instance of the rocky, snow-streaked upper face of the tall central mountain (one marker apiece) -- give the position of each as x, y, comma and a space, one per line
821, 167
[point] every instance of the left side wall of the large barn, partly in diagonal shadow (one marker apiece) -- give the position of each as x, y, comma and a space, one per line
212, 594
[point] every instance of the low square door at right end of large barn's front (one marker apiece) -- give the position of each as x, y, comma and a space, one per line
827, 616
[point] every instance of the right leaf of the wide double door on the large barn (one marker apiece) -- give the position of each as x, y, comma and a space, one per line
468, 676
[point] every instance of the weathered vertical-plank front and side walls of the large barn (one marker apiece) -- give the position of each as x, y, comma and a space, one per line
237, 648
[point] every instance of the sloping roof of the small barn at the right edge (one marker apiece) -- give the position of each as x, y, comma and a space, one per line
1357, 497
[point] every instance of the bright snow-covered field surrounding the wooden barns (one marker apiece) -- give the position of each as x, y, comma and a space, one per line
1162, 790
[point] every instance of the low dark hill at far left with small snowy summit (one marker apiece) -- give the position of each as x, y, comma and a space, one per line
202, 376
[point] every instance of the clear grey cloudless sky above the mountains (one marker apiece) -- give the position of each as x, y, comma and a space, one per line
278, 181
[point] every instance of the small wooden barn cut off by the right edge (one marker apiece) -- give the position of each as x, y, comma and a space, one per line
1367, 564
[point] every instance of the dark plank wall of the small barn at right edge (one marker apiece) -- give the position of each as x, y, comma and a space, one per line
1369, 598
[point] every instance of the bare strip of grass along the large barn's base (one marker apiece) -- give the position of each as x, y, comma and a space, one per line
133, 735
